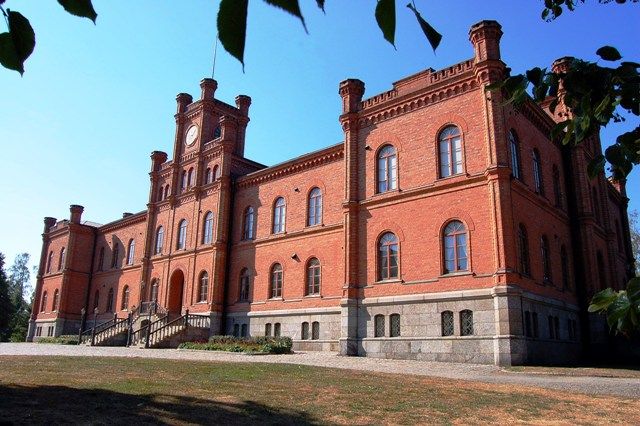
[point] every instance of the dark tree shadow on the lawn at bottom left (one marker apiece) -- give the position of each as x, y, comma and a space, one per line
60, 404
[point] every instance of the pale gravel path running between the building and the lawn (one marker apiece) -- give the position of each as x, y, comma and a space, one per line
625, 387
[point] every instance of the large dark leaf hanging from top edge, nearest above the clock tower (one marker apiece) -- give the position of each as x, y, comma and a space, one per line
232, 27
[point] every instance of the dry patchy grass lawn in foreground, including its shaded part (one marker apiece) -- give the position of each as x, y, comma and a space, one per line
135, 390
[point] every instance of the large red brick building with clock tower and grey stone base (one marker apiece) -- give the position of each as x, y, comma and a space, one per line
446, 226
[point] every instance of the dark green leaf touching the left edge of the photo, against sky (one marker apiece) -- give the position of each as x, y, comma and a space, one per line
16, 45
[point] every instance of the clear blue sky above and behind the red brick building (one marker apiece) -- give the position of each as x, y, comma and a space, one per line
94, 102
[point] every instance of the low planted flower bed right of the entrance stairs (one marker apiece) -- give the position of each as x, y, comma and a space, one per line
264, 345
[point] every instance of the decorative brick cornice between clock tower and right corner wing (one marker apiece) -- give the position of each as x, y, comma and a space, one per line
296, 165
